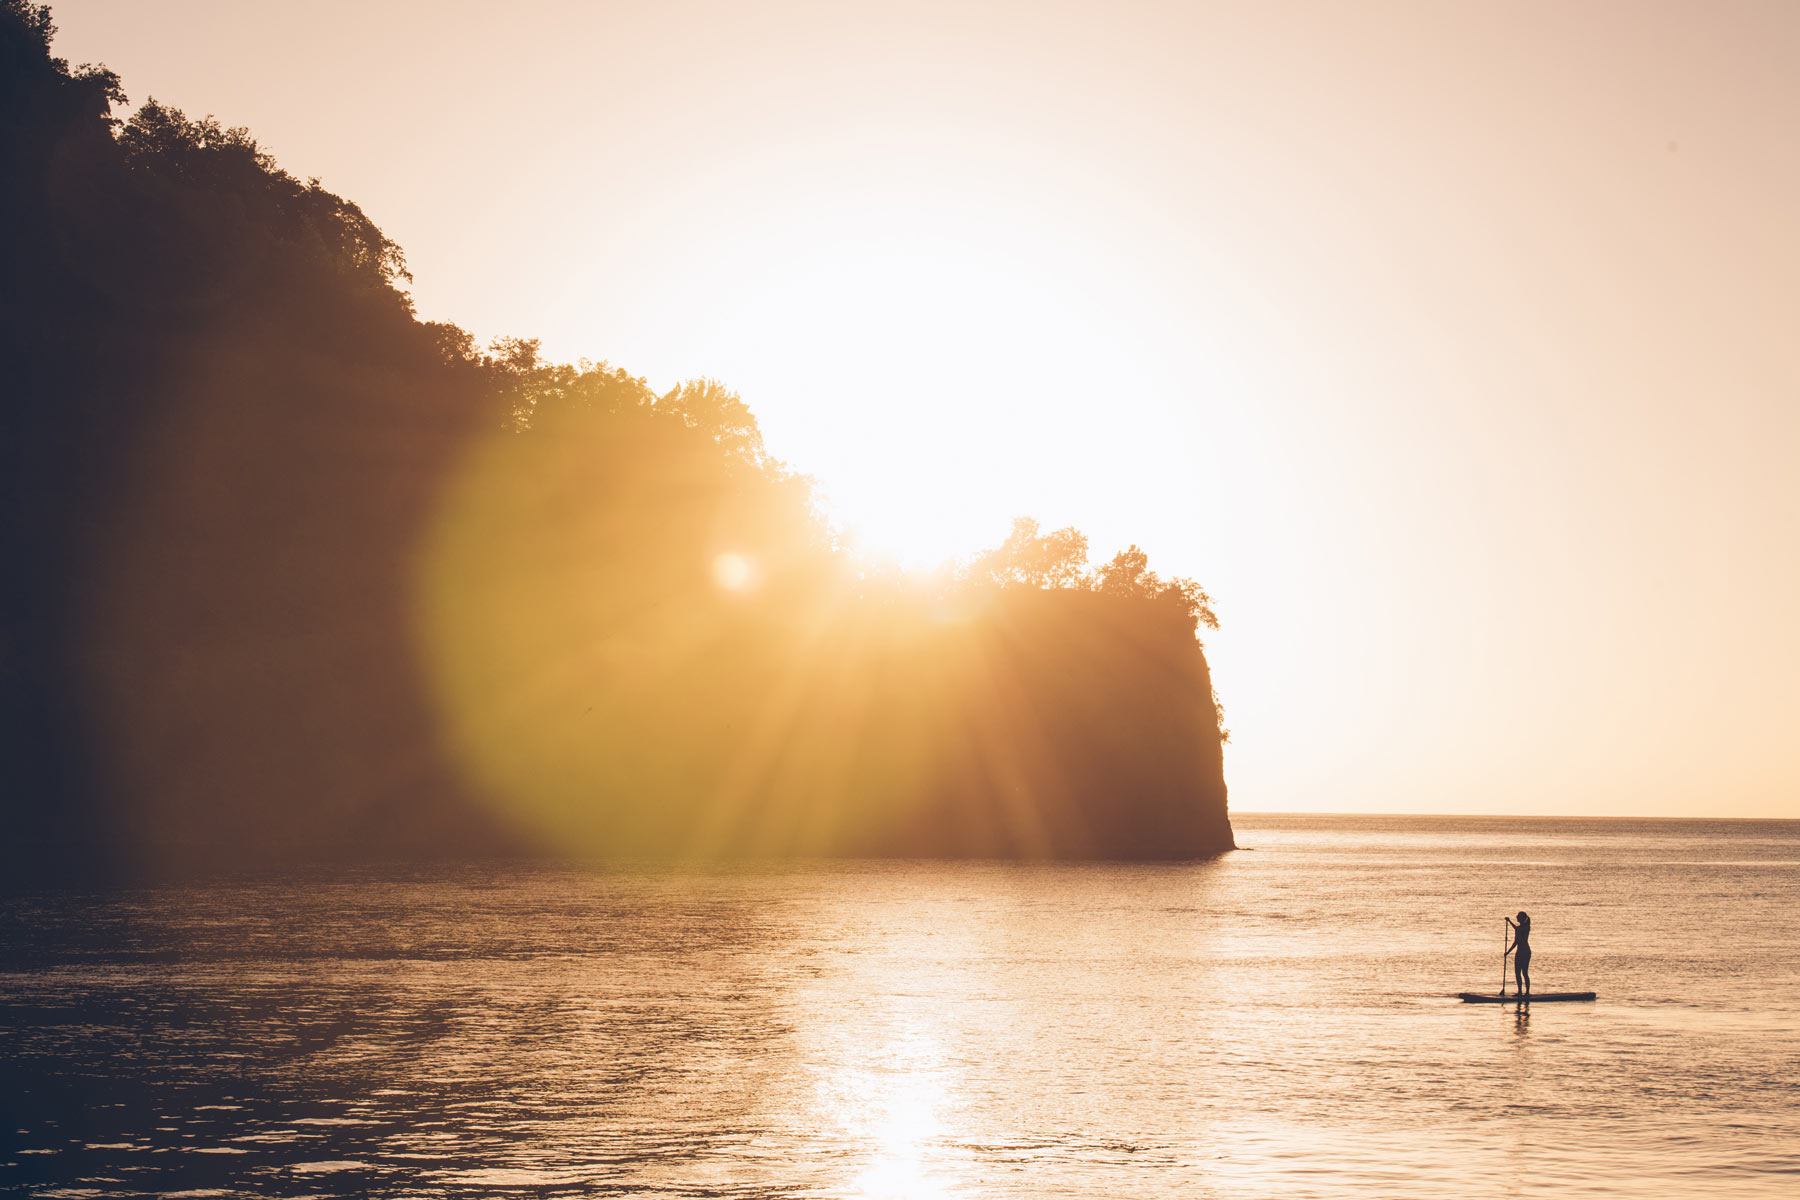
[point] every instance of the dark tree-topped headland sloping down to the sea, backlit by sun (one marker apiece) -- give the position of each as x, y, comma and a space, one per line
294, 575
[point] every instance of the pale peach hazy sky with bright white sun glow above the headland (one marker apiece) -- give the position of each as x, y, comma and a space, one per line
1455, 348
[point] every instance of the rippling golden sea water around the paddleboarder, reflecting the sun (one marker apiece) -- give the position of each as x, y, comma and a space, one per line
1279, 1023
